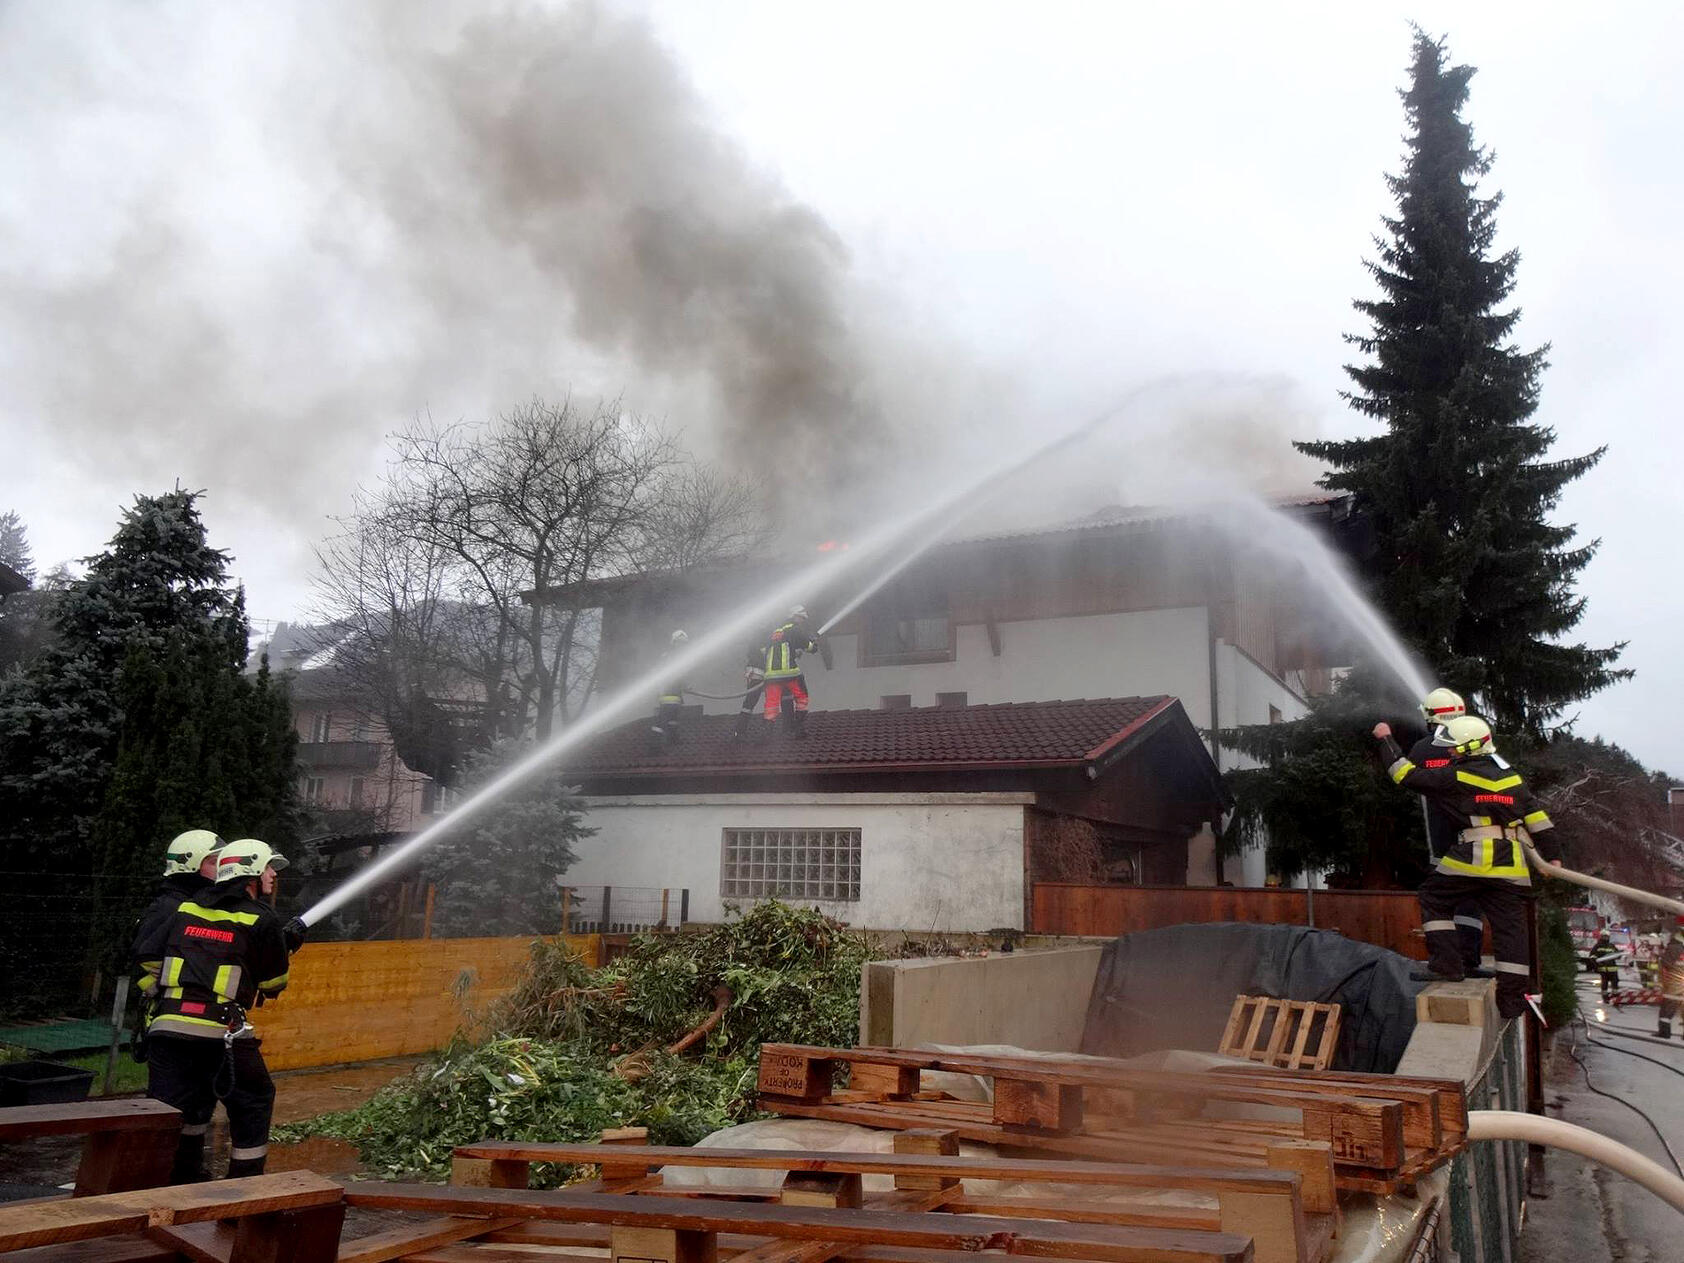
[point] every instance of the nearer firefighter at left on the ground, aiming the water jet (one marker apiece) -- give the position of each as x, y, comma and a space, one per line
203, 969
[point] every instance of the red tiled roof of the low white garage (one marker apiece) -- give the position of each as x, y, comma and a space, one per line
1011, 735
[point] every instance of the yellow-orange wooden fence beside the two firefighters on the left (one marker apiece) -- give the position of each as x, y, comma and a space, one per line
390, 998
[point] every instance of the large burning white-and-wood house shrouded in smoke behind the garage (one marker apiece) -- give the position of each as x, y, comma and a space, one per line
1122, 604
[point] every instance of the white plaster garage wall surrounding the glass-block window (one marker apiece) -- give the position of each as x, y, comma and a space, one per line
929, 861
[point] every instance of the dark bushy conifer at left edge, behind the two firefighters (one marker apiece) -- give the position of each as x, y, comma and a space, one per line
136, 723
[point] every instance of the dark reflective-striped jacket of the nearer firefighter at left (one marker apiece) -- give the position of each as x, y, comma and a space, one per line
221, 949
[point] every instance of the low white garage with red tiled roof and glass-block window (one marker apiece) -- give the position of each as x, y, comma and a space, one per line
914, 819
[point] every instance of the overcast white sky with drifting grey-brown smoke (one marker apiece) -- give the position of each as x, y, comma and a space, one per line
242, 243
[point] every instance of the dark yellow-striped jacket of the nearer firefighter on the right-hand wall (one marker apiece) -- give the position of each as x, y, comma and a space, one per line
1491, 809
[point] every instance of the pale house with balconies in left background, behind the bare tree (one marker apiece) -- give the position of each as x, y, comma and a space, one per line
351, 779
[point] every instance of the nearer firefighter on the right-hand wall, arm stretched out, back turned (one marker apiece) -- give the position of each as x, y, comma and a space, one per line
1495, 813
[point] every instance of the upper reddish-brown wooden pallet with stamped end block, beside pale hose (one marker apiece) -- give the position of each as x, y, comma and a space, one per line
1378, 1132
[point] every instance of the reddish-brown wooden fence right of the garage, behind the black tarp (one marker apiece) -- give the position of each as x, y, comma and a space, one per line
1388, 919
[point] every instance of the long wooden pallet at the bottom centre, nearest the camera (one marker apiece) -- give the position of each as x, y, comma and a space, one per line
819, 1212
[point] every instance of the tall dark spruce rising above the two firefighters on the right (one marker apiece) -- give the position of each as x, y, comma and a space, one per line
1461, 488
